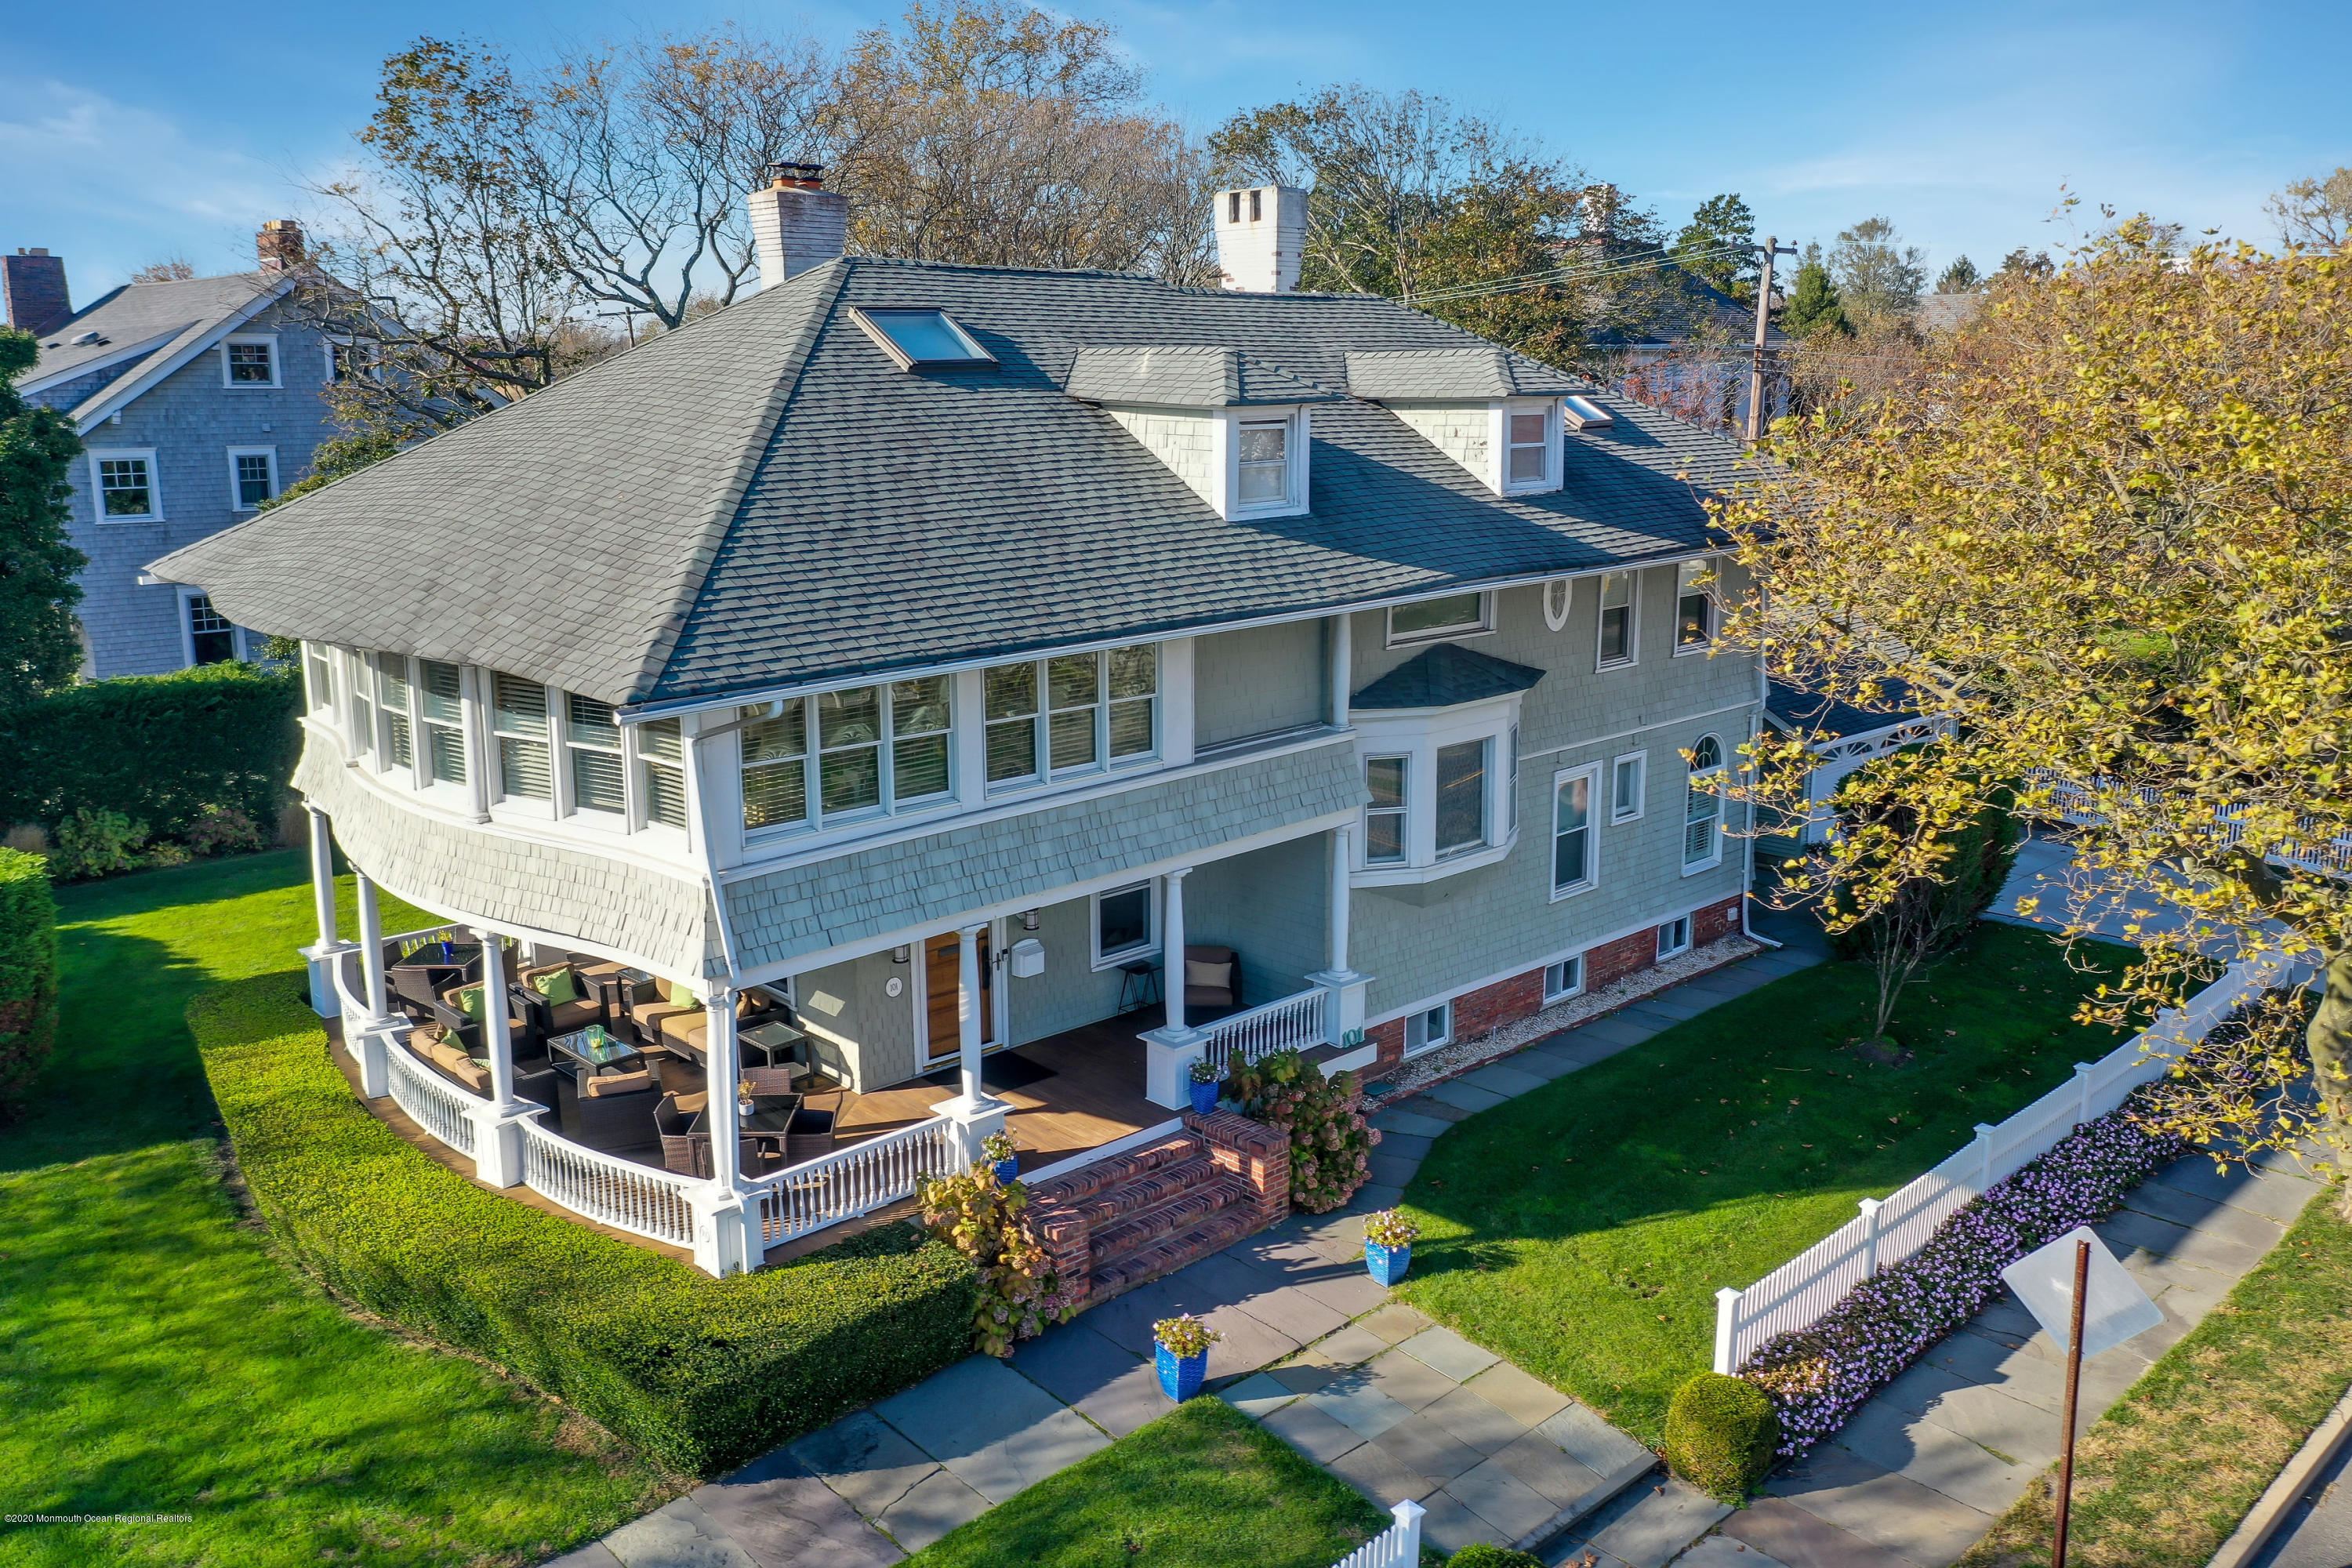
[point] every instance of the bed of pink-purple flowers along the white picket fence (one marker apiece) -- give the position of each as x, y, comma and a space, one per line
1819, 1376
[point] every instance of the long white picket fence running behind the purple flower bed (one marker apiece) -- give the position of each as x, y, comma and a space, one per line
1803, 1289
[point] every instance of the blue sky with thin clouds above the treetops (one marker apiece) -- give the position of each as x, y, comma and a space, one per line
133, 133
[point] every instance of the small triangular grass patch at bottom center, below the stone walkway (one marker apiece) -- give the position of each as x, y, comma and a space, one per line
1203, 1487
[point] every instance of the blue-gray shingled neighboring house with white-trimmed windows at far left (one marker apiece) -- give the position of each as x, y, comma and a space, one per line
196, 398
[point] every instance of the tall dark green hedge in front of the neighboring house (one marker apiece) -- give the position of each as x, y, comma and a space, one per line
156, 749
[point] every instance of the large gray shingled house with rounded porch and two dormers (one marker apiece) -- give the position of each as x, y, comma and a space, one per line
958, 699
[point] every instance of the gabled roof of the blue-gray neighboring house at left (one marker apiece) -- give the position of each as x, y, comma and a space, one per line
142, 333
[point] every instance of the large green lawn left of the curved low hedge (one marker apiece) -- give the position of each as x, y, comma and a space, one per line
156, 1358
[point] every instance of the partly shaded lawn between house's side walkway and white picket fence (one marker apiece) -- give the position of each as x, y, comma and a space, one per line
1584, 1228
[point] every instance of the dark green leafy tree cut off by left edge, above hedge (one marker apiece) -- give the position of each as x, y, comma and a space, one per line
39, 638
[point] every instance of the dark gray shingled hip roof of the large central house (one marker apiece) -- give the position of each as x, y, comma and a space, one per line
763, 500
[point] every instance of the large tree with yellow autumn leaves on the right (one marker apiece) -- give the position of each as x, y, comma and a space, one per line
2106, 535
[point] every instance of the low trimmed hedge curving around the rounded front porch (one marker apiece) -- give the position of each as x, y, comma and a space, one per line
702, 1374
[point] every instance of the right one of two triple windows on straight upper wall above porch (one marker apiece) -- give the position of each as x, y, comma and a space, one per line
1071, 713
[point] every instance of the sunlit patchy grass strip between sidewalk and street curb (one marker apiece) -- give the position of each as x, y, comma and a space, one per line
2170, 1473
